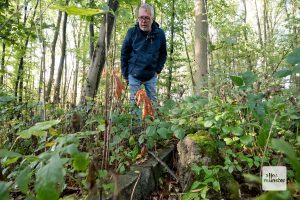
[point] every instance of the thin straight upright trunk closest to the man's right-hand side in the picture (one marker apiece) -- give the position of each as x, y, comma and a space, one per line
169, 86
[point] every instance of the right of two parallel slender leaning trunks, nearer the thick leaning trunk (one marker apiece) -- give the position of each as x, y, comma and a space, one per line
56, 98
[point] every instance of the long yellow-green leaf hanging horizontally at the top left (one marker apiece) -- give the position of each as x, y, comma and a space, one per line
73, 10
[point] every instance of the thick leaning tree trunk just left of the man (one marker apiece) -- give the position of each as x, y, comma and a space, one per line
92, 81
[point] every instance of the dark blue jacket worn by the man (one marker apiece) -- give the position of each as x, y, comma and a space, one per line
143, 54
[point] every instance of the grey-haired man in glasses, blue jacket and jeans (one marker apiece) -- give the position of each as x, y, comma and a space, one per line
143, 55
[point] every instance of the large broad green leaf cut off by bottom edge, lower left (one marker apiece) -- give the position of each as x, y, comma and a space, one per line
50, 179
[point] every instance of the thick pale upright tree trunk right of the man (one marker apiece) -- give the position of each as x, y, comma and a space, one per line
201, 33
